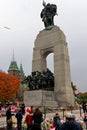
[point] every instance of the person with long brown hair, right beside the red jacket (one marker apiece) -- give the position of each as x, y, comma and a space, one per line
37, 117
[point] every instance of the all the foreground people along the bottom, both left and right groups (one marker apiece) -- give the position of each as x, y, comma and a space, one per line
34, 118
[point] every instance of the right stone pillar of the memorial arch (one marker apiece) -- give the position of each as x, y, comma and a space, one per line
63, 90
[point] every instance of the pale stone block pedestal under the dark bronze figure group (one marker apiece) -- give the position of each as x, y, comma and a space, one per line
39, 98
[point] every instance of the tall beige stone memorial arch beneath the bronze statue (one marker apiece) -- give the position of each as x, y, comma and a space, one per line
54, 41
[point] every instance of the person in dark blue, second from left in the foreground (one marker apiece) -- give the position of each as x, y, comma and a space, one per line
19, 119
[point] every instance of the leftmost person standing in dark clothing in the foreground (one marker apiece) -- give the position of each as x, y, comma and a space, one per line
9, 118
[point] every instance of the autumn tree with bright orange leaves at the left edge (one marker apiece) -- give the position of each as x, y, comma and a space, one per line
9, 85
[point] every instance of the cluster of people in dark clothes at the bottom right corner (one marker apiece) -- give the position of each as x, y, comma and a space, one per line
70, 122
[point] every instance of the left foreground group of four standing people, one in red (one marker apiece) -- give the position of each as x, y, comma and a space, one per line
33, 119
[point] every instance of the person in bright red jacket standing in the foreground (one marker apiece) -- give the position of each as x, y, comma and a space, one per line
29, 119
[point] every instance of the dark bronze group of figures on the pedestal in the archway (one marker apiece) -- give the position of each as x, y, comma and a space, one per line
40, 80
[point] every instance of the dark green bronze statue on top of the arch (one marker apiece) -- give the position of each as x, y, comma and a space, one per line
47, 15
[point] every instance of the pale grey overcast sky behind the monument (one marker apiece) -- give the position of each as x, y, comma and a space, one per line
23, 19
